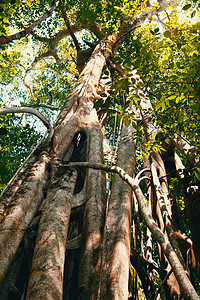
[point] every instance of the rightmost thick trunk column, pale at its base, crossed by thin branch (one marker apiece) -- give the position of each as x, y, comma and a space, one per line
117, 236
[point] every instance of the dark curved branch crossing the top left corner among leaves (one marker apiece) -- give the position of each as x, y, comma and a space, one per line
17, 36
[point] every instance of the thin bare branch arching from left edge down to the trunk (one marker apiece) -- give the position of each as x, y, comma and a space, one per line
24, 109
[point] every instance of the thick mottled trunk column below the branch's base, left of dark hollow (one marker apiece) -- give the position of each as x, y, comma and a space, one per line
46, 280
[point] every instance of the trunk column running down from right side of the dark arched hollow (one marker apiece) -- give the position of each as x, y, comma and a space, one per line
93, 217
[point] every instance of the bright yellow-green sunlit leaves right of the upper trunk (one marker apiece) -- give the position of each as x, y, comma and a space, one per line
169, 65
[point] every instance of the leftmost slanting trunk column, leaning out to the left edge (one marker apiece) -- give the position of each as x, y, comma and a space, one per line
20, 214
